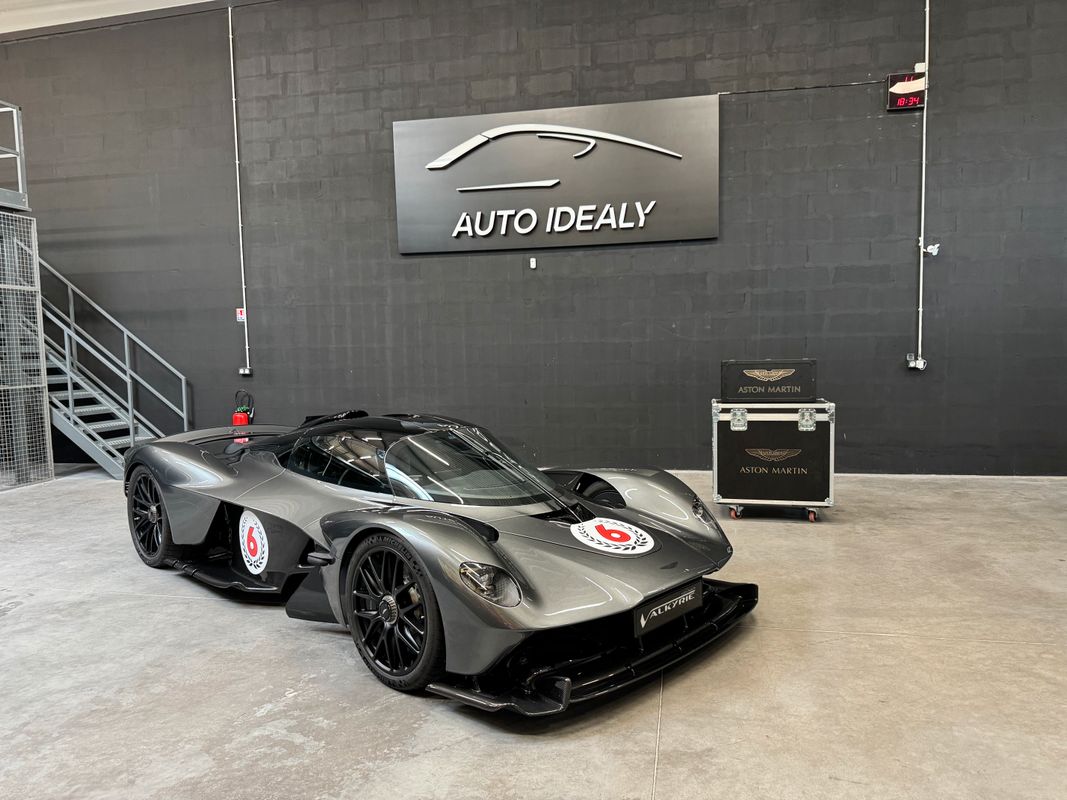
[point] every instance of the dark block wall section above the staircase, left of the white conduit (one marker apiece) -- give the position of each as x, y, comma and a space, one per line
131, 164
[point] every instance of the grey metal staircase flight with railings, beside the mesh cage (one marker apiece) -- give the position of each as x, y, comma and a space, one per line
103, 380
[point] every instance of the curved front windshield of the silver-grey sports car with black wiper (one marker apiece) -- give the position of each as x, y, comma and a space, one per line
464, 466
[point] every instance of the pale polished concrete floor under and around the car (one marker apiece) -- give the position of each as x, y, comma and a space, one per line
913, 645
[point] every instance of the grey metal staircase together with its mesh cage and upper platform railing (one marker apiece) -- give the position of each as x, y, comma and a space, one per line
107, 390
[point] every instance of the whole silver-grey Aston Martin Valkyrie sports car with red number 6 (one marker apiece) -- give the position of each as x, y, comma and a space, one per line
458, 568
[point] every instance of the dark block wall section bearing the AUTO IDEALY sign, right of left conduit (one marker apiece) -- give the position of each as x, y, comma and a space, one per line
612, 356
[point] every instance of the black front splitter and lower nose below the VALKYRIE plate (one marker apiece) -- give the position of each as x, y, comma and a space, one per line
553, 677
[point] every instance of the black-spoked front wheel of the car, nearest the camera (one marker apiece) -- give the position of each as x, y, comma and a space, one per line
393, 614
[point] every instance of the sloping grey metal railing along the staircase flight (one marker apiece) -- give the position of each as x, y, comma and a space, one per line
76, 337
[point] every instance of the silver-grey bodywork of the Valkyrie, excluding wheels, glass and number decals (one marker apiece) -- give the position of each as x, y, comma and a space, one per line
313, 527
